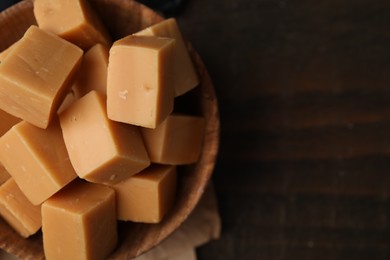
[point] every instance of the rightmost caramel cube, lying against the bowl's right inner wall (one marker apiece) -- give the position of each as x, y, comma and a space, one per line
178, 140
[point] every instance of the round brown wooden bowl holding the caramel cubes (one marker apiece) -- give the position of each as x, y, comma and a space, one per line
123, 17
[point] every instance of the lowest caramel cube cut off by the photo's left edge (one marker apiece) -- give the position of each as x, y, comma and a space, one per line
17, 210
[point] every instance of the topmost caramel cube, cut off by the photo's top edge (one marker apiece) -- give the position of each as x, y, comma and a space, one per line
73, 20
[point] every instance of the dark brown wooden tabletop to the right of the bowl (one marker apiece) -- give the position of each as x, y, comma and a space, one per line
304, 92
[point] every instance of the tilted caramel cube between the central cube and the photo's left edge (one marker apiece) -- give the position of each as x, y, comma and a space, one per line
37, 159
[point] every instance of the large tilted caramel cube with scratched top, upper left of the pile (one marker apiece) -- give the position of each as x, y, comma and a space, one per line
35, 75
